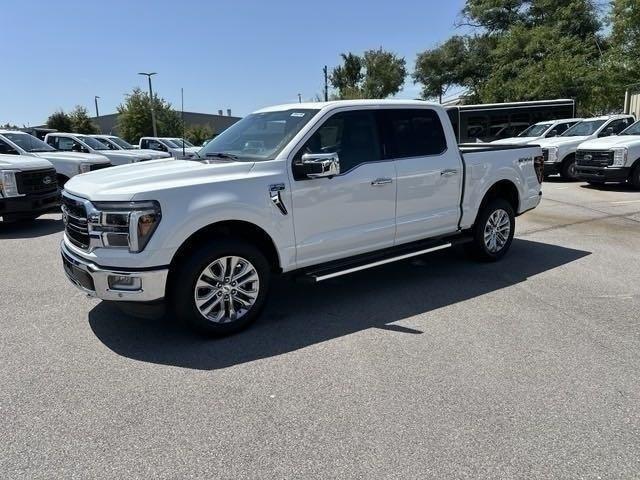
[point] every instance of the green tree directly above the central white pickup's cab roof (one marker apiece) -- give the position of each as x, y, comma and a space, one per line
376, 74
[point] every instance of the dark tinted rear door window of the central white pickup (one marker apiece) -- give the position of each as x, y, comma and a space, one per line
414, 133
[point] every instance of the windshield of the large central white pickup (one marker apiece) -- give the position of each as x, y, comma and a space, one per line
260, 136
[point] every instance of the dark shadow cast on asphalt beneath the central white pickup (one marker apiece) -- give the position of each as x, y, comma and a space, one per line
299, 315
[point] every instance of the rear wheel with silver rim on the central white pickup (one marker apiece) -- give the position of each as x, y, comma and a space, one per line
493, 231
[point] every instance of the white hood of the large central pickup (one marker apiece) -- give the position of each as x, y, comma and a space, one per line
142, 180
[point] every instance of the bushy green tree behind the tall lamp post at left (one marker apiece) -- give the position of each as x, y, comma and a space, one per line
134, 120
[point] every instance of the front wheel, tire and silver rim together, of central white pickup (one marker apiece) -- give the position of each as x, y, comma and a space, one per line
222, 288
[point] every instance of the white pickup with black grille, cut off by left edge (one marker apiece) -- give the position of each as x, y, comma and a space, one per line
28, 187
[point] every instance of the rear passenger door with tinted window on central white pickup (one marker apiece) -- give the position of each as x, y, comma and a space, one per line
429, 174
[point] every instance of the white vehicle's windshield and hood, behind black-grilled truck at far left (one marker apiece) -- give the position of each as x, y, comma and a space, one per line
67, 164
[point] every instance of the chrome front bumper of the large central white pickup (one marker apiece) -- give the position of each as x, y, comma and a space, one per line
93, 279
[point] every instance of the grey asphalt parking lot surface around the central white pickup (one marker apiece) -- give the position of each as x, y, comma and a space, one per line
433, 368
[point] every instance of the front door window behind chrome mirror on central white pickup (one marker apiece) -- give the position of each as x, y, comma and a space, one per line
352, 135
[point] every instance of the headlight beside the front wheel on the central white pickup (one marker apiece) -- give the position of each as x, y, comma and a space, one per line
124, 224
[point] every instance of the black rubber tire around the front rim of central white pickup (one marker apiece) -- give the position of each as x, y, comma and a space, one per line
183, 287
